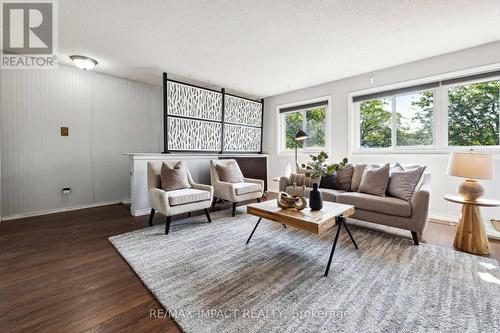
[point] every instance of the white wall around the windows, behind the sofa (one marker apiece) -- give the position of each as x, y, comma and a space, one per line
338, 91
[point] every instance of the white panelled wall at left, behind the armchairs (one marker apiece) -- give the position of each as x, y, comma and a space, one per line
106, 116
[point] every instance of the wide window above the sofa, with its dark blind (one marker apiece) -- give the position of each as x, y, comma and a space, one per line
459, 112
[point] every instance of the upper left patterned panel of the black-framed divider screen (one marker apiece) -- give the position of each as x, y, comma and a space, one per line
192, 102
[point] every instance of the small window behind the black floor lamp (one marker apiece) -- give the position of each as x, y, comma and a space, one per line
312, 118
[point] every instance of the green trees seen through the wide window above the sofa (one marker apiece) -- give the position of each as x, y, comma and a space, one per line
473, 118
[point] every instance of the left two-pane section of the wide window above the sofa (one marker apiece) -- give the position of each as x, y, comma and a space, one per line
406, 119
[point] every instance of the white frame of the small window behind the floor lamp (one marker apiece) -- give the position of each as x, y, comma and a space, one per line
280, 127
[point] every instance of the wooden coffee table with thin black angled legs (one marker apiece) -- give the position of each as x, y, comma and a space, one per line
313, 221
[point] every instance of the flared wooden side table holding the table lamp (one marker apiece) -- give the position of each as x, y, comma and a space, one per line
471, 236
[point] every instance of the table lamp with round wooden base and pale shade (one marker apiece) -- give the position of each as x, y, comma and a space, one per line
471, 166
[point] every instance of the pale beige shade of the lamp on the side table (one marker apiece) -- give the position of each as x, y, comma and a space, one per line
471, 165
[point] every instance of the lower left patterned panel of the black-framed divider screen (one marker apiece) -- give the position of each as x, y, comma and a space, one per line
192, 134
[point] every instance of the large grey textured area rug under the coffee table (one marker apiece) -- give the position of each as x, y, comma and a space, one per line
211, 281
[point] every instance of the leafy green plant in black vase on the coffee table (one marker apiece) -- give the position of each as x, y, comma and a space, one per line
315, 169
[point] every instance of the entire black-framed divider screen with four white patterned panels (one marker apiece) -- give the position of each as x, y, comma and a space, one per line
200, 119
